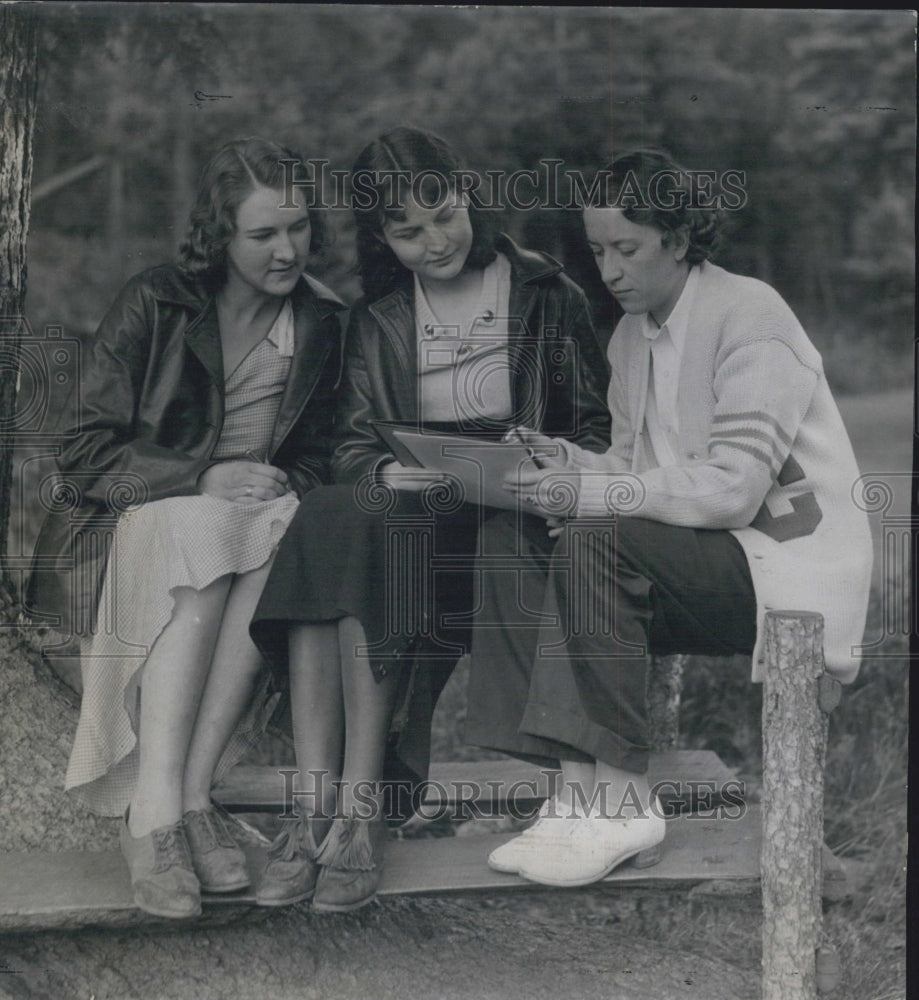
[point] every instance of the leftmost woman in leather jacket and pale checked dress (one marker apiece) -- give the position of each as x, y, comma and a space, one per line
205, 412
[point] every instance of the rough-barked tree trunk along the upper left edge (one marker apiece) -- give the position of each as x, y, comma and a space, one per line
18, 84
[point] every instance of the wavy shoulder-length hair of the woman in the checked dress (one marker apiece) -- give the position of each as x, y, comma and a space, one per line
229, 177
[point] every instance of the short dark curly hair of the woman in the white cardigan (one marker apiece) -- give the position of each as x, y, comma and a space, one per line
633, 174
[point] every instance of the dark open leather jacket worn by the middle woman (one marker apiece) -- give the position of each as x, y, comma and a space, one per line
560, 374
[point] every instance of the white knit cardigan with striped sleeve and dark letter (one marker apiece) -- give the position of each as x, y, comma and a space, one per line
763, 453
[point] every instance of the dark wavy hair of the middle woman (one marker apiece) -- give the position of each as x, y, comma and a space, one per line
379, 196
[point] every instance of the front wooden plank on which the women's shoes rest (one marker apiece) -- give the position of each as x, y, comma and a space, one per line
81, 889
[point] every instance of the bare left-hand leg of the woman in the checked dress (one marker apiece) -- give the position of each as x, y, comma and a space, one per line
174, 676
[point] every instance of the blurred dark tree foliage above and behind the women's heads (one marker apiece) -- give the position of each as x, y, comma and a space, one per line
816, 107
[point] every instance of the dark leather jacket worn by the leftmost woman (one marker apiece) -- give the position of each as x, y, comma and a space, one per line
150, 414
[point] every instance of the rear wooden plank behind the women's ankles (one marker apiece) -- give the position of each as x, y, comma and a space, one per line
688, 776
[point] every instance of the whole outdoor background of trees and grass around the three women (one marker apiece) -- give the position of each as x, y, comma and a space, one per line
817, 108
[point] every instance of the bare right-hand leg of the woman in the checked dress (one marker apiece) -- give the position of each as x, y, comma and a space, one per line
234, 667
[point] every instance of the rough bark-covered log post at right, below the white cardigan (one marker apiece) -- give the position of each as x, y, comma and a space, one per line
794, 751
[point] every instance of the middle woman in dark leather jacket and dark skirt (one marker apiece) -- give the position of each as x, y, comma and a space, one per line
368, 601
